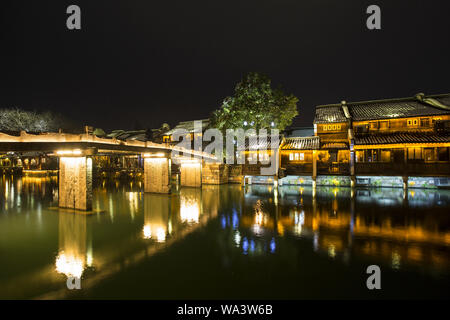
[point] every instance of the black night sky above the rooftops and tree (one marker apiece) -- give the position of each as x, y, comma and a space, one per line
175, 60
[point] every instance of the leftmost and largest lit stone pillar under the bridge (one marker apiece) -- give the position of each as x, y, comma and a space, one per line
75, 183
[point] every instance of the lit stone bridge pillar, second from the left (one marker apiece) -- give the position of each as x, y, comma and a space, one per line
157, 175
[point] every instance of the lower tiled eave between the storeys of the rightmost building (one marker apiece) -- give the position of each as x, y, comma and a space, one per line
402, 137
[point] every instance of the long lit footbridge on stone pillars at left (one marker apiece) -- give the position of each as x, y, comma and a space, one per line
75, 153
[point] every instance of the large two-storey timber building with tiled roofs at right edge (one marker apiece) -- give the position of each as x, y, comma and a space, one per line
407, 137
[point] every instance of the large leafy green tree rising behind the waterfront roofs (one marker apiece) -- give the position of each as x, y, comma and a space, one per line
256, 105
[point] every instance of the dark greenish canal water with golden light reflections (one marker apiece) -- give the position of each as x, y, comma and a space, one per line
224, 241
